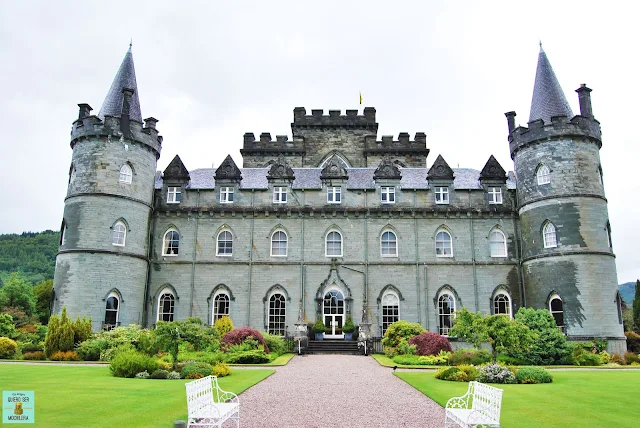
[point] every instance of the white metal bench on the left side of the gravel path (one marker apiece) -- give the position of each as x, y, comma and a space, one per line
210, 406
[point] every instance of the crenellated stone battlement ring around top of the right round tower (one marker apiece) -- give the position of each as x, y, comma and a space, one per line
560, 126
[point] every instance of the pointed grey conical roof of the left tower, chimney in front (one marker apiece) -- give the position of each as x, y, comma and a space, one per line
125, 78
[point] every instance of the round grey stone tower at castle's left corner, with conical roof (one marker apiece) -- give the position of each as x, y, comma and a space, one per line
102, 264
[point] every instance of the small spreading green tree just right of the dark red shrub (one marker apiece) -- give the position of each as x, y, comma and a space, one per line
501, 332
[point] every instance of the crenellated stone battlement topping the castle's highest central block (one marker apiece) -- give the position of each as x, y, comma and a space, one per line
334, 119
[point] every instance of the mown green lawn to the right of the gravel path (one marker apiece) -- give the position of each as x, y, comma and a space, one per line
576, 398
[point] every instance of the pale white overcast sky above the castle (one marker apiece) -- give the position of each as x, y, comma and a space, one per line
210, 71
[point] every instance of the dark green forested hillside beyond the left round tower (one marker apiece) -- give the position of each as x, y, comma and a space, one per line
33, 254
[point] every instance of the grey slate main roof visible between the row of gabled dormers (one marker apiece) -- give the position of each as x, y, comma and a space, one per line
359, 178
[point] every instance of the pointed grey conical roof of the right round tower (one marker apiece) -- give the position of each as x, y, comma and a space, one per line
548, 99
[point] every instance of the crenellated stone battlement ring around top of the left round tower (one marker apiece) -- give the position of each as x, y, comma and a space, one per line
88, 125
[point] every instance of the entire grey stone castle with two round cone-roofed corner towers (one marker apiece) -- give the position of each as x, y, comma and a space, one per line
335, 222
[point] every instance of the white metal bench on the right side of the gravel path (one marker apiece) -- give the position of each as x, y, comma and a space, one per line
480, 406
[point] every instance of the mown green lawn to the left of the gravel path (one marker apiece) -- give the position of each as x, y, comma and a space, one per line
75, 396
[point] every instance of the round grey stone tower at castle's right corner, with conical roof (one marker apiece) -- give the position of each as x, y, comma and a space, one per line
567, 257
